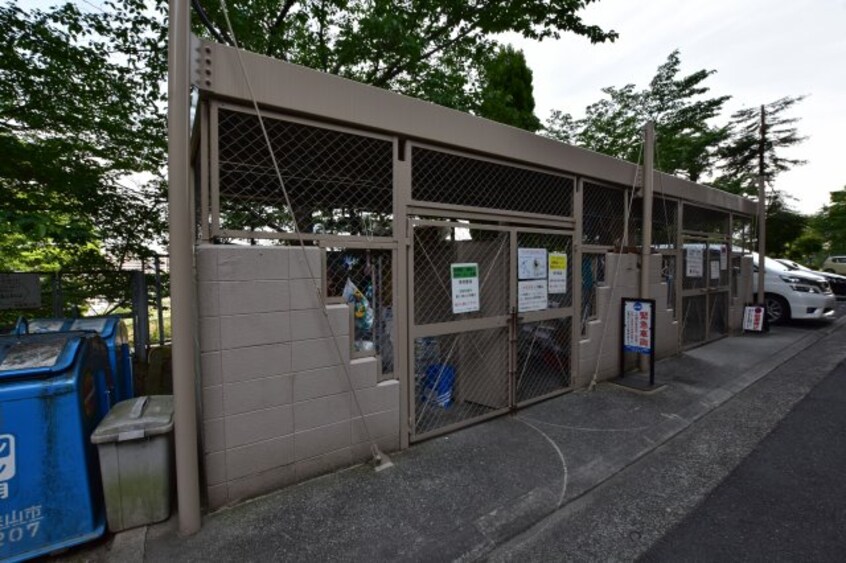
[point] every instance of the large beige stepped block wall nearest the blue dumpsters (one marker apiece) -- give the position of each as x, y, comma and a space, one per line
277, 405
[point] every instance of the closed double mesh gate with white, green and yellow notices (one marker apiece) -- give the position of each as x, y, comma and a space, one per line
514, 346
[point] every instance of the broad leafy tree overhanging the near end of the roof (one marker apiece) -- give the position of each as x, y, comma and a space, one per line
433, 50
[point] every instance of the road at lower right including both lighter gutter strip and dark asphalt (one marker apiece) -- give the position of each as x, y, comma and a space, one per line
759, 478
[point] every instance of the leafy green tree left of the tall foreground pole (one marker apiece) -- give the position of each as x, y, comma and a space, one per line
81, 109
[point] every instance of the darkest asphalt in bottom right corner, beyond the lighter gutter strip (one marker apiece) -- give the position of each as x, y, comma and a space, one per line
786, 501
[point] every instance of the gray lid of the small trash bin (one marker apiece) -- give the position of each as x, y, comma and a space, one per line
134, 419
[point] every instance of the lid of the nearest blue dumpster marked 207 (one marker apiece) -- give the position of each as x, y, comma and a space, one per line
21, 355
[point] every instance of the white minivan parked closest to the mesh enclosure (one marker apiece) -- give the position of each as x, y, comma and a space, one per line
793, 294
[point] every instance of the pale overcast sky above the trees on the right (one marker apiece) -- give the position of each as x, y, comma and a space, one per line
762, 50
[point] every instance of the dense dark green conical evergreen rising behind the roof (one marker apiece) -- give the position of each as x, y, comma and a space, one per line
507, 94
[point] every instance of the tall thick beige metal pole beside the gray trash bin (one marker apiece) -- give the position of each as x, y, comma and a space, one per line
181, 269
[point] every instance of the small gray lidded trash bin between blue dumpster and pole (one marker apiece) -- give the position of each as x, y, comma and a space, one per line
136, 458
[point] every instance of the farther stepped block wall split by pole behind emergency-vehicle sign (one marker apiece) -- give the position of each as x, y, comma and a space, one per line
599, 347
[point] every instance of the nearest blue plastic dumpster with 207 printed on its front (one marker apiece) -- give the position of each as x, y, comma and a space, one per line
50, 488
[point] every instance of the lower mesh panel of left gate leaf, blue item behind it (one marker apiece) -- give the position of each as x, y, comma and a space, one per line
459, 377
